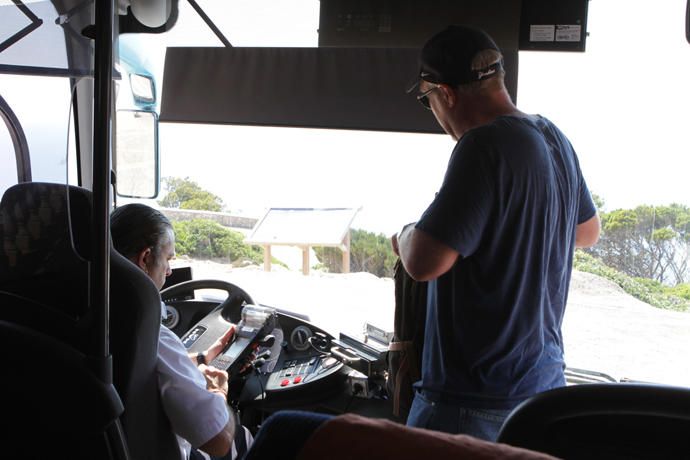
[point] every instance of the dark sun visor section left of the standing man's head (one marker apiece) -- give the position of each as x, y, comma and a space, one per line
340, 88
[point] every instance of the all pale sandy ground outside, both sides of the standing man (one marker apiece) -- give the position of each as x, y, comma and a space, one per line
605, 329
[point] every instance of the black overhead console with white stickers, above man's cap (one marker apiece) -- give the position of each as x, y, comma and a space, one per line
538, 25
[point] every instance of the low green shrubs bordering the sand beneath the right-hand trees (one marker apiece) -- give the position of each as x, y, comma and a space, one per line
644, 289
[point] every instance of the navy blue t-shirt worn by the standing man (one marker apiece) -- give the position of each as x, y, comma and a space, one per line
510, 202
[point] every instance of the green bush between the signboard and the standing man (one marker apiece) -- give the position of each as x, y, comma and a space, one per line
369, 252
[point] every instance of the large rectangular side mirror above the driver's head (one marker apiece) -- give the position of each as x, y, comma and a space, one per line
136, 159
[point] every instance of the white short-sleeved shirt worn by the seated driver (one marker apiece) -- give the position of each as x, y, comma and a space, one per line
196, 415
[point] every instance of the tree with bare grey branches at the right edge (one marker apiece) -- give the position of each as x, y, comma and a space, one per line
648, 242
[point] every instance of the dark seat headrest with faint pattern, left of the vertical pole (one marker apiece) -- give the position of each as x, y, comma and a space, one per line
44, 259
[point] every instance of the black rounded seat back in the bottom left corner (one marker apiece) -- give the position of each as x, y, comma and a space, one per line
53, 404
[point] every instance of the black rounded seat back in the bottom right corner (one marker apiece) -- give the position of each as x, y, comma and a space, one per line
603, 420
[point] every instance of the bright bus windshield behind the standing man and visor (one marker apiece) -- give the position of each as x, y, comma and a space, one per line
614, 101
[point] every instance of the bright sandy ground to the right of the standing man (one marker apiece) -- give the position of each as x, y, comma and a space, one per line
607, 330
